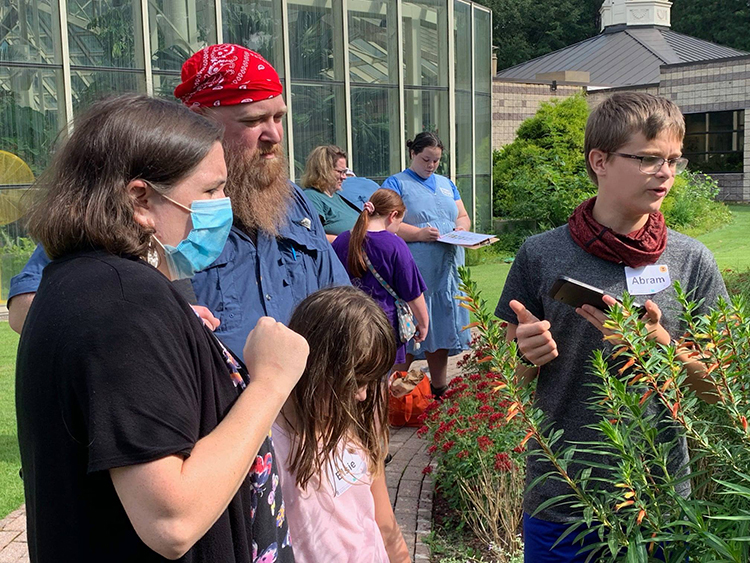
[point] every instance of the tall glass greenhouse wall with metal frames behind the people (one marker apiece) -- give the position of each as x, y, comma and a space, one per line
363, 74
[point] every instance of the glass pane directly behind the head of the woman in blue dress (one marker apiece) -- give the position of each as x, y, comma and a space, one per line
427, 110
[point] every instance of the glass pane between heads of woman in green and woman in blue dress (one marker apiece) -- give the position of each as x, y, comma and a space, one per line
375, 132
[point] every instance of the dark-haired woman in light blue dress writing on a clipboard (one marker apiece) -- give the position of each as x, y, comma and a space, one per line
434, 208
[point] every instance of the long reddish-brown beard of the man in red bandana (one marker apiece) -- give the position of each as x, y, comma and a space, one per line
259, 188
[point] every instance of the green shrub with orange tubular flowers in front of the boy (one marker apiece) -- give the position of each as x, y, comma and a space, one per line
637, 506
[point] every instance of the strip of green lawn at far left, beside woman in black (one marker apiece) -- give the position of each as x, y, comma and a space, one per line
11, 487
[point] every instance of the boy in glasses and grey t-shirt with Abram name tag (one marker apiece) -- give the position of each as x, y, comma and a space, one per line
633, 151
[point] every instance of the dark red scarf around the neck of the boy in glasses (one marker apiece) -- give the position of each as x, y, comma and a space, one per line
636, 249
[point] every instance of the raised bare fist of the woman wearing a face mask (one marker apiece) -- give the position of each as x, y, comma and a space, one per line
275, 355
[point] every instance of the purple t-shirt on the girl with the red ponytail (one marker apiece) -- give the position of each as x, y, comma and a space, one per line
393, 261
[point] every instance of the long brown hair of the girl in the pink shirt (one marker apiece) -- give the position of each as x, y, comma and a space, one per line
352, 345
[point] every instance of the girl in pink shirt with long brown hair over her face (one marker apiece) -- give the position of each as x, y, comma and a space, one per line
327, 437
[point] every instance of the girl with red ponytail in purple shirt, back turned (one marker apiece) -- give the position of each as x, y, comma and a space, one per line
374, 237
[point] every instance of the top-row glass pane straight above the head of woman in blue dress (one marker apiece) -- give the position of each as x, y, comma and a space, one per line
425, 29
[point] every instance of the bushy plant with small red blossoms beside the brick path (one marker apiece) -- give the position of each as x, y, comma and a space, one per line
476, 439
